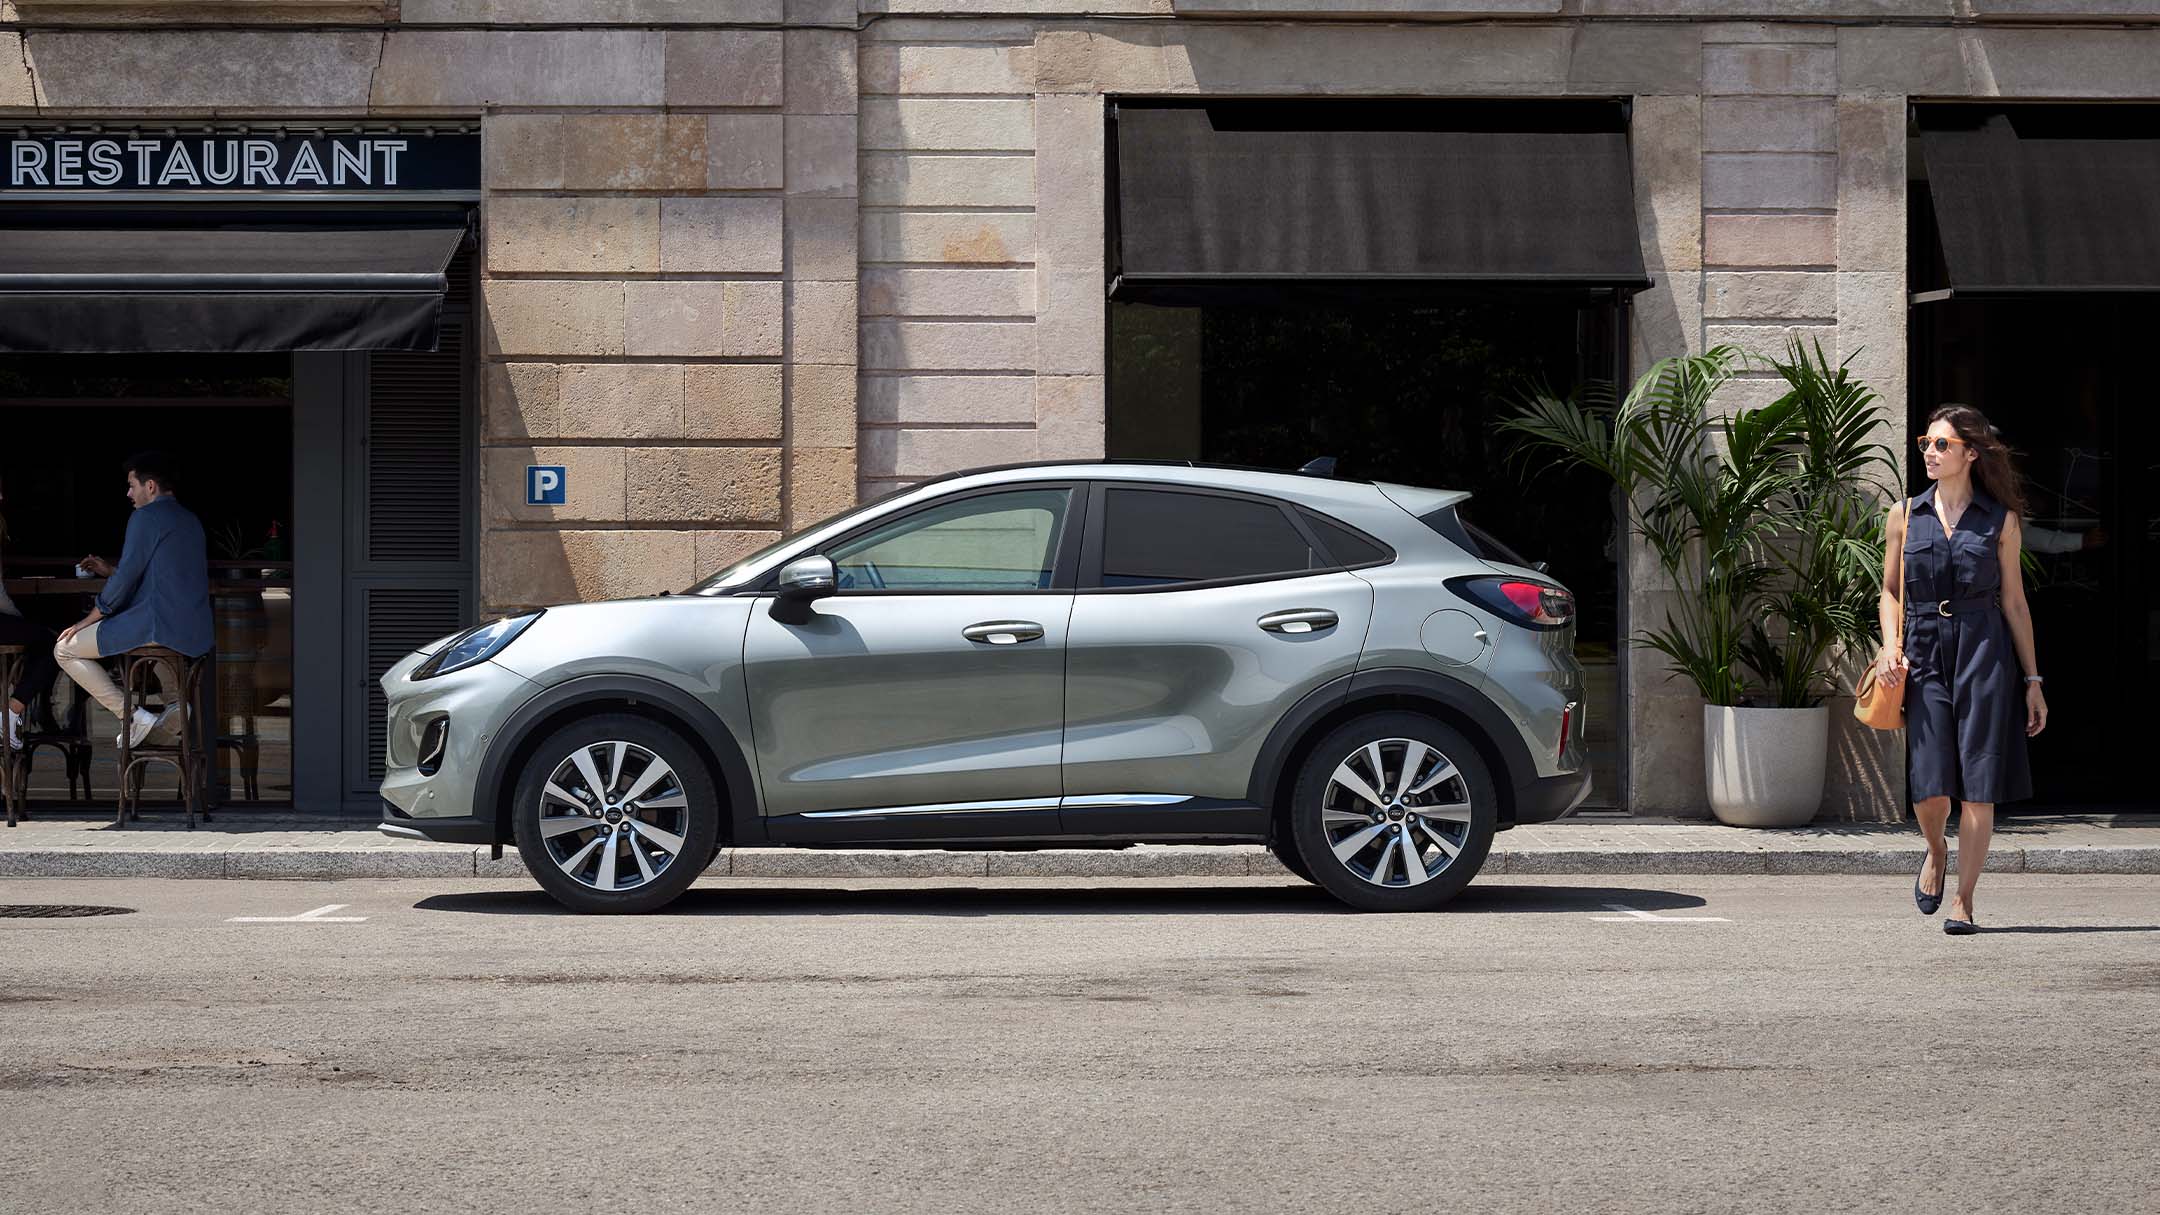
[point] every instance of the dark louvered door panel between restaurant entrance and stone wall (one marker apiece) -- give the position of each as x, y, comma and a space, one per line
411, 552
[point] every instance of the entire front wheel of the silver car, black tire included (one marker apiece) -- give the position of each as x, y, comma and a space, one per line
630, 836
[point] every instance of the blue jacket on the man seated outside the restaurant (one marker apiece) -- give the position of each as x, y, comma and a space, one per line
161, 589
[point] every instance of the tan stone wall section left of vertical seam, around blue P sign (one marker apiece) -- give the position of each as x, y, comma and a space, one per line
669, 263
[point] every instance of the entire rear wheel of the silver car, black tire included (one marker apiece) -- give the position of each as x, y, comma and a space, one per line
1463, 829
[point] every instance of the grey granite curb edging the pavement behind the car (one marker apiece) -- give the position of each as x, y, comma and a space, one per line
332, 864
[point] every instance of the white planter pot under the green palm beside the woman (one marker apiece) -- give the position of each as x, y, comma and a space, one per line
1766, 766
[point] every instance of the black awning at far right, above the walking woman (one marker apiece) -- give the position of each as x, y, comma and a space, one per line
2047, 198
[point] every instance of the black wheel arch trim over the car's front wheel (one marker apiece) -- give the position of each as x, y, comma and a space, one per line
651, 699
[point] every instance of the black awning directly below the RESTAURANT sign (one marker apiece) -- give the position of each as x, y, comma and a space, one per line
103, 284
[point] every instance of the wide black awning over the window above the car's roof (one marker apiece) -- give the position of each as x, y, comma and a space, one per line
1440, 193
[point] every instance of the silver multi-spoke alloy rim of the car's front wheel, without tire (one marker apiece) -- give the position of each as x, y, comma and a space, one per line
615, 816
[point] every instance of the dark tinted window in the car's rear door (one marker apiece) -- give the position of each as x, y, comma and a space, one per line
1163, 537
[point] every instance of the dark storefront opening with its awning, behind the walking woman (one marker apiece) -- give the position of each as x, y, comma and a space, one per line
2036, 302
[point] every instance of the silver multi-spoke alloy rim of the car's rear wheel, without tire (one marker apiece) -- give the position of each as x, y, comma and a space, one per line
1396, 814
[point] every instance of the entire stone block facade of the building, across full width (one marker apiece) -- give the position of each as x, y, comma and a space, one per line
748, 261
